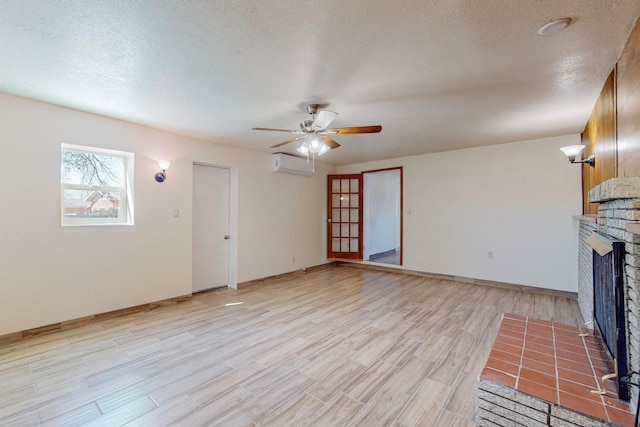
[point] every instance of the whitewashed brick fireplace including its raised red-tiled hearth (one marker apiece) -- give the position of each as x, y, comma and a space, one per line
541, 373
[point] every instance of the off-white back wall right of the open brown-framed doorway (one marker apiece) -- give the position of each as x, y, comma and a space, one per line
516, 200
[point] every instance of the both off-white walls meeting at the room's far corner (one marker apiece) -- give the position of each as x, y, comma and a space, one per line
514, 199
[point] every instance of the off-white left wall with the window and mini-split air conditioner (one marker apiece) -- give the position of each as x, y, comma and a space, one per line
52, 273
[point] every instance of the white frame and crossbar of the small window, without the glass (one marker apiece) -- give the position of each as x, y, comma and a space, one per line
127, 211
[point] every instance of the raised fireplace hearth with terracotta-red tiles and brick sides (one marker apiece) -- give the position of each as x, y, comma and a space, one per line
541, 373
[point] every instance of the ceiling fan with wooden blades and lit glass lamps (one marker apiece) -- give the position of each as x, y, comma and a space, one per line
314, 133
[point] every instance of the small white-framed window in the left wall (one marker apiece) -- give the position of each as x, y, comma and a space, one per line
96, 186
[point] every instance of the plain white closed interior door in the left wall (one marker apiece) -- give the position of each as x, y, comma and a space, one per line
211, 237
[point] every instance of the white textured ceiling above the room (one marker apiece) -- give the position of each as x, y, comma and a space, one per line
436, 74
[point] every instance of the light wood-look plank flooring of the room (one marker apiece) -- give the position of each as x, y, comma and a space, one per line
335, 346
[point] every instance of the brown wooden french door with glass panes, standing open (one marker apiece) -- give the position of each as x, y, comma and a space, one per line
344, 228
